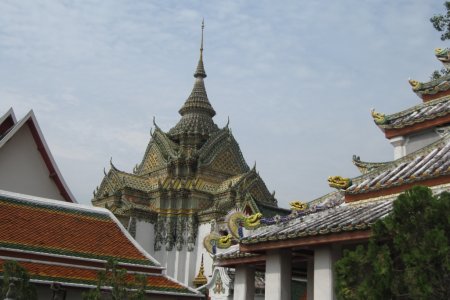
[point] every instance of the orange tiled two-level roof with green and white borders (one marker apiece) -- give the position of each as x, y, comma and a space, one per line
69, 243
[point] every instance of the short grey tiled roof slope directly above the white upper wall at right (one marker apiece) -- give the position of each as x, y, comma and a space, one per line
418, 114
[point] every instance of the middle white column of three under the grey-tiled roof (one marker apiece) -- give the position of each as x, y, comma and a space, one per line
278, 275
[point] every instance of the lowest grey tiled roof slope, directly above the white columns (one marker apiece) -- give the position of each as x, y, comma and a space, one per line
342, 218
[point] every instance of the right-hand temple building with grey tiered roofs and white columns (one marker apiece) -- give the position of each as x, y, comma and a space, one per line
305, 244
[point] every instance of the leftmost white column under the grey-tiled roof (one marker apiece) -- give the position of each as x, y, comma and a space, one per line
244, 283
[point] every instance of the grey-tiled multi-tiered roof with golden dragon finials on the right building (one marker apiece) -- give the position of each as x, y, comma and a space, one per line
348, 214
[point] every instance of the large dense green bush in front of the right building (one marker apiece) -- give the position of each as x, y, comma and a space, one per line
408, 256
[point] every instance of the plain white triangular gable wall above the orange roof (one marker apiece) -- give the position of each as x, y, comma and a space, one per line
22, 168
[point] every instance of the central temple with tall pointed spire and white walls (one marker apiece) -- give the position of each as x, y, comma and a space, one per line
189, 179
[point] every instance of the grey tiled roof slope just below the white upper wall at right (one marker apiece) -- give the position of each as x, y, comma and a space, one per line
427, 163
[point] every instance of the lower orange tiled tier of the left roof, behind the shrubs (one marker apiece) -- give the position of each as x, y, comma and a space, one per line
78, 275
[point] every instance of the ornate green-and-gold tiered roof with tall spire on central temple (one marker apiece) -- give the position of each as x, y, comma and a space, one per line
194, 160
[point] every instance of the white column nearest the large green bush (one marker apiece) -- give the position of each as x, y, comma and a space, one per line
324, 258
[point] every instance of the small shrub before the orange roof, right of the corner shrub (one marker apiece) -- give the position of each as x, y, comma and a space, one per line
114, 283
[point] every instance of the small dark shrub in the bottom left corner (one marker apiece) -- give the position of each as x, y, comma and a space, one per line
16, 274
